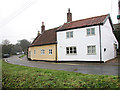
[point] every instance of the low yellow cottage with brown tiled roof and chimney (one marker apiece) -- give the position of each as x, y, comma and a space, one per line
44, 46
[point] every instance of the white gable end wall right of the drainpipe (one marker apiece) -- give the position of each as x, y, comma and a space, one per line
108, 40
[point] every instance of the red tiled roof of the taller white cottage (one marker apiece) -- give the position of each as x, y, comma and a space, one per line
84, 22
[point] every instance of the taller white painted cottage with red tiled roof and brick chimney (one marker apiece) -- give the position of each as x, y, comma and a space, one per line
90, 39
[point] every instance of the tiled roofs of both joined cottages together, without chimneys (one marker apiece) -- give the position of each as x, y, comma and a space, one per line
49, 36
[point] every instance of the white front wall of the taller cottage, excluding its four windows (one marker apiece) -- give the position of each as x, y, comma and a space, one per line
81, 41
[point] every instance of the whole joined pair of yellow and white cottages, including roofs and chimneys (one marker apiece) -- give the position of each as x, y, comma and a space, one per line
90, 39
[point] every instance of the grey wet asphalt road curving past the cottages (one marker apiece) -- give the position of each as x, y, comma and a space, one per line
86, 68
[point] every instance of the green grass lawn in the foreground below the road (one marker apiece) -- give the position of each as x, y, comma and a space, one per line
15, 76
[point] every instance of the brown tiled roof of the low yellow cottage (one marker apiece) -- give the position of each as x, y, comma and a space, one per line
47, 37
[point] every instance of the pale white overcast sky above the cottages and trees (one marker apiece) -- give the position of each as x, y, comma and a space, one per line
21, 19
